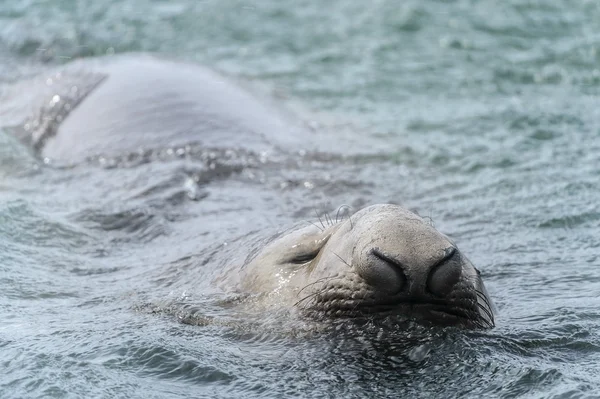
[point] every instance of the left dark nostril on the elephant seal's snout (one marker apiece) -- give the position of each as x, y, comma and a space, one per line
382, 272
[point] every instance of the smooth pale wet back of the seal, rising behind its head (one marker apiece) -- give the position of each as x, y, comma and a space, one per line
118, 105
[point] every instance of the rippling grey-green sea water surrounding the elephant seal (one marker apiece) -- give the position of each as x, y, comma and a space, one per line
482, 115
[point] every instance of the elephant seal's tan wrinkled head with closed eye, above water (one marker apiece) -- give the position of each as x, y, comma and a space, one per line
383, 260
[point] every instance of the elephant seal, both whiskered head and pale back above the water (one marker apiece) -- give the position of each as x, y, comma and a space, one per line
382, 260
